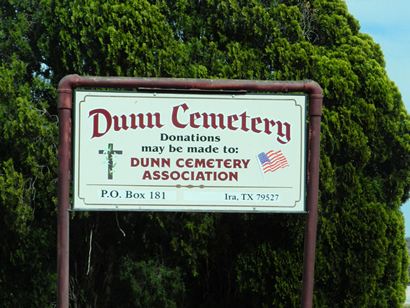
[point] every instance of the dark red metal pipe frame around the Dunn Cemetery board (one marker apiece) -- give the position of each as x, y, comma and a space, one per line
65, 106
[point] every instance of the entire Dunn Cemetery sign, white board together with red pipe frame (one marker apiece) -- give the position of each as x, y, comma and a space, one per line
238, 182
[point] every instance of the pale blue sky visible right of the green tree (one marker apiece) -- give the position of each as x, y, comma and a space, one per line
388, 22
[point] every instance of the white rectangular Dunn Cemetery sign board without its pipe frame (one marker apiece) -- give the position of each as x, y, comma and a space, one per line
189, 152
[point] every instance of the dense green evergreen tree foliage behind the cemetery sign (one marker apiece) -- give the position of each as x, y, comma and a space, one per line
180, 259
